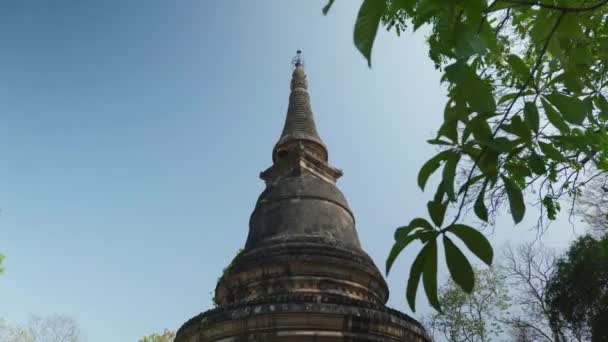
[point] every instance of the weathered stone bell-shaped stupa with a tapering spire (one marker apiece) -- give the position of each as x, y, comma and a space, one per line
302, 275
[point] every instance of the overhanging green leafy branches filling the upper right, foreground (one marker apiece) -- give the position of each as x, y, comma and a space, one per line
526, 113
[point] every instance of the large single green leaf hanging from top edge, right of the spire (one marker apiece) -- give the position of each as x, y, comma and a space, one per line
366, 26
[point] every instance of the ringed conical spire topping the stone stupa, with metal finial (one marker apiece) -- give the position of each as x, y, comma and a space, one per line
299, 123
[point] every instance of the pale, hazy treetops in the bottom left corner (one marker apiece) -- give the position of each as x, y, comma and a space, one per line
54, 328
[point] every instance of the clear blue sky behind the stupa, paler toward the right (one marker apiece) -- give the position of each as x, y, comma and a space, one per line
132, 134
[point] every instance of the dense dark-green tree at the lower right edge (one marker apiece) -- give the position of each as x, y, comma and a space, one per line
577, 293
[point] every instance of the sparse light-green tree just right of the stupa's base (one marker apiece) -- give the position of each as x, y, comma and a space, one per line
474, 317
